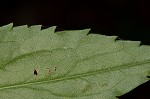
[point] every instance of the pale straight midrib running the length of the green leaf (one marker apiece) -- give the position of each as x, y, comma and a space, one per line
78, 75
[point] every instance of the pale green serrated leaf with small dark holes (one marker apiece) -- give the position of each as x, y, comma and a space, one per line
70, 64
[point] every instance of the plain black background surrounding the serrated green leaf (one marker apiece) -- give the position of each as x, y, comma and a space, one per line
128, 19
